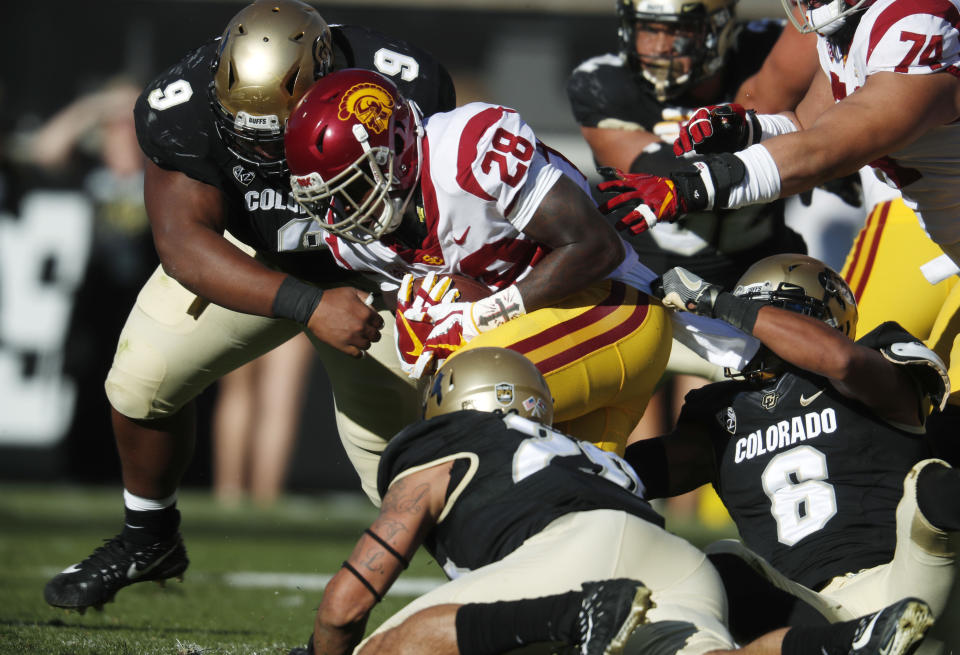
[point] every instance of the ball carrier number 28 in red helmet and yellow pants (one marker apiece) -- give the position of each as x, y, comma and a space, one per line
473, 192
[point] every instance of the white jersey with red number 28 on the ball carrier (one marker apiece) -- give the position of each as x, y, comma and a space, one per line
483, 175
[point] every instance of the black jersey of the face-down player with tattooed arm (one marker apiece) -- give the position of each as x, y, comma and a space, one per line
511, 478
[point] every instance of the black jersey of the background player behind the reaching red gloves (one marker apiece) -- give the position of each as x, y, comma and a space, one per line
604, 88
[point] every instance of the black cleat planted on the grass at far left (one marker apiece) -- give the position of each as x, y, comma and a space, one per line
113, 566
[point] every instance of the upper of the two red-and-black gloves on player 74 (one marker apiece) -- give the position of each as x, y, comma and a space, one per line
718, 128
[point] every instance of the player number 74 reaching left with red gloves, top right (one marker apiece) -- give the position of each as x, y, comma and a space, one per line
889, 98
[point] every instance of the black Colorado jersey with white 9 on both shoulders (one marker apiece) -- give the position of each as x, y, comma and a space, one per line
176, 129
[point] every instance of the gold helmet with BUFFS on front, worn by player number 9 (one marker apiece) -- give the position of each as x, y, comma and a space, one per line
269, 55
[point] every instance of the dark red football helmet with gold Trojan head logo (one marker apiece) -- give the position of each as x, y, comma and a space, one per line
353, 147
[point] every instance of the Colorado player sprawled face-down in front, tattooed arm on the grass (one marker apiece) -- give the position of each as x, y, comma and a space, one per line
545, 539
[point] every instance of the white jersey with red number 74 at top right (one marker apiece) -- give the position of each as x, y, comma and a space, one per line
912, 37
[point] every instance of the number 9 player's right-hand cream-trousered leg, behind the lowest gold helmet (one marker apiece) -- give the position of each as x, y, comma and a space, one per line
374, 399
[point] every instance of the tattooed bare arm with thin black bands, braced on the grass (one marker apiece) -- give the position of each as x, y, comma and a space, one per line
409, 510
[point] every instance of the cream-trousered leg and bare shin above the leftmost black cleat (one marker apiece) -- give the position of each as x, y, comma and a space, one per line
171, 348
